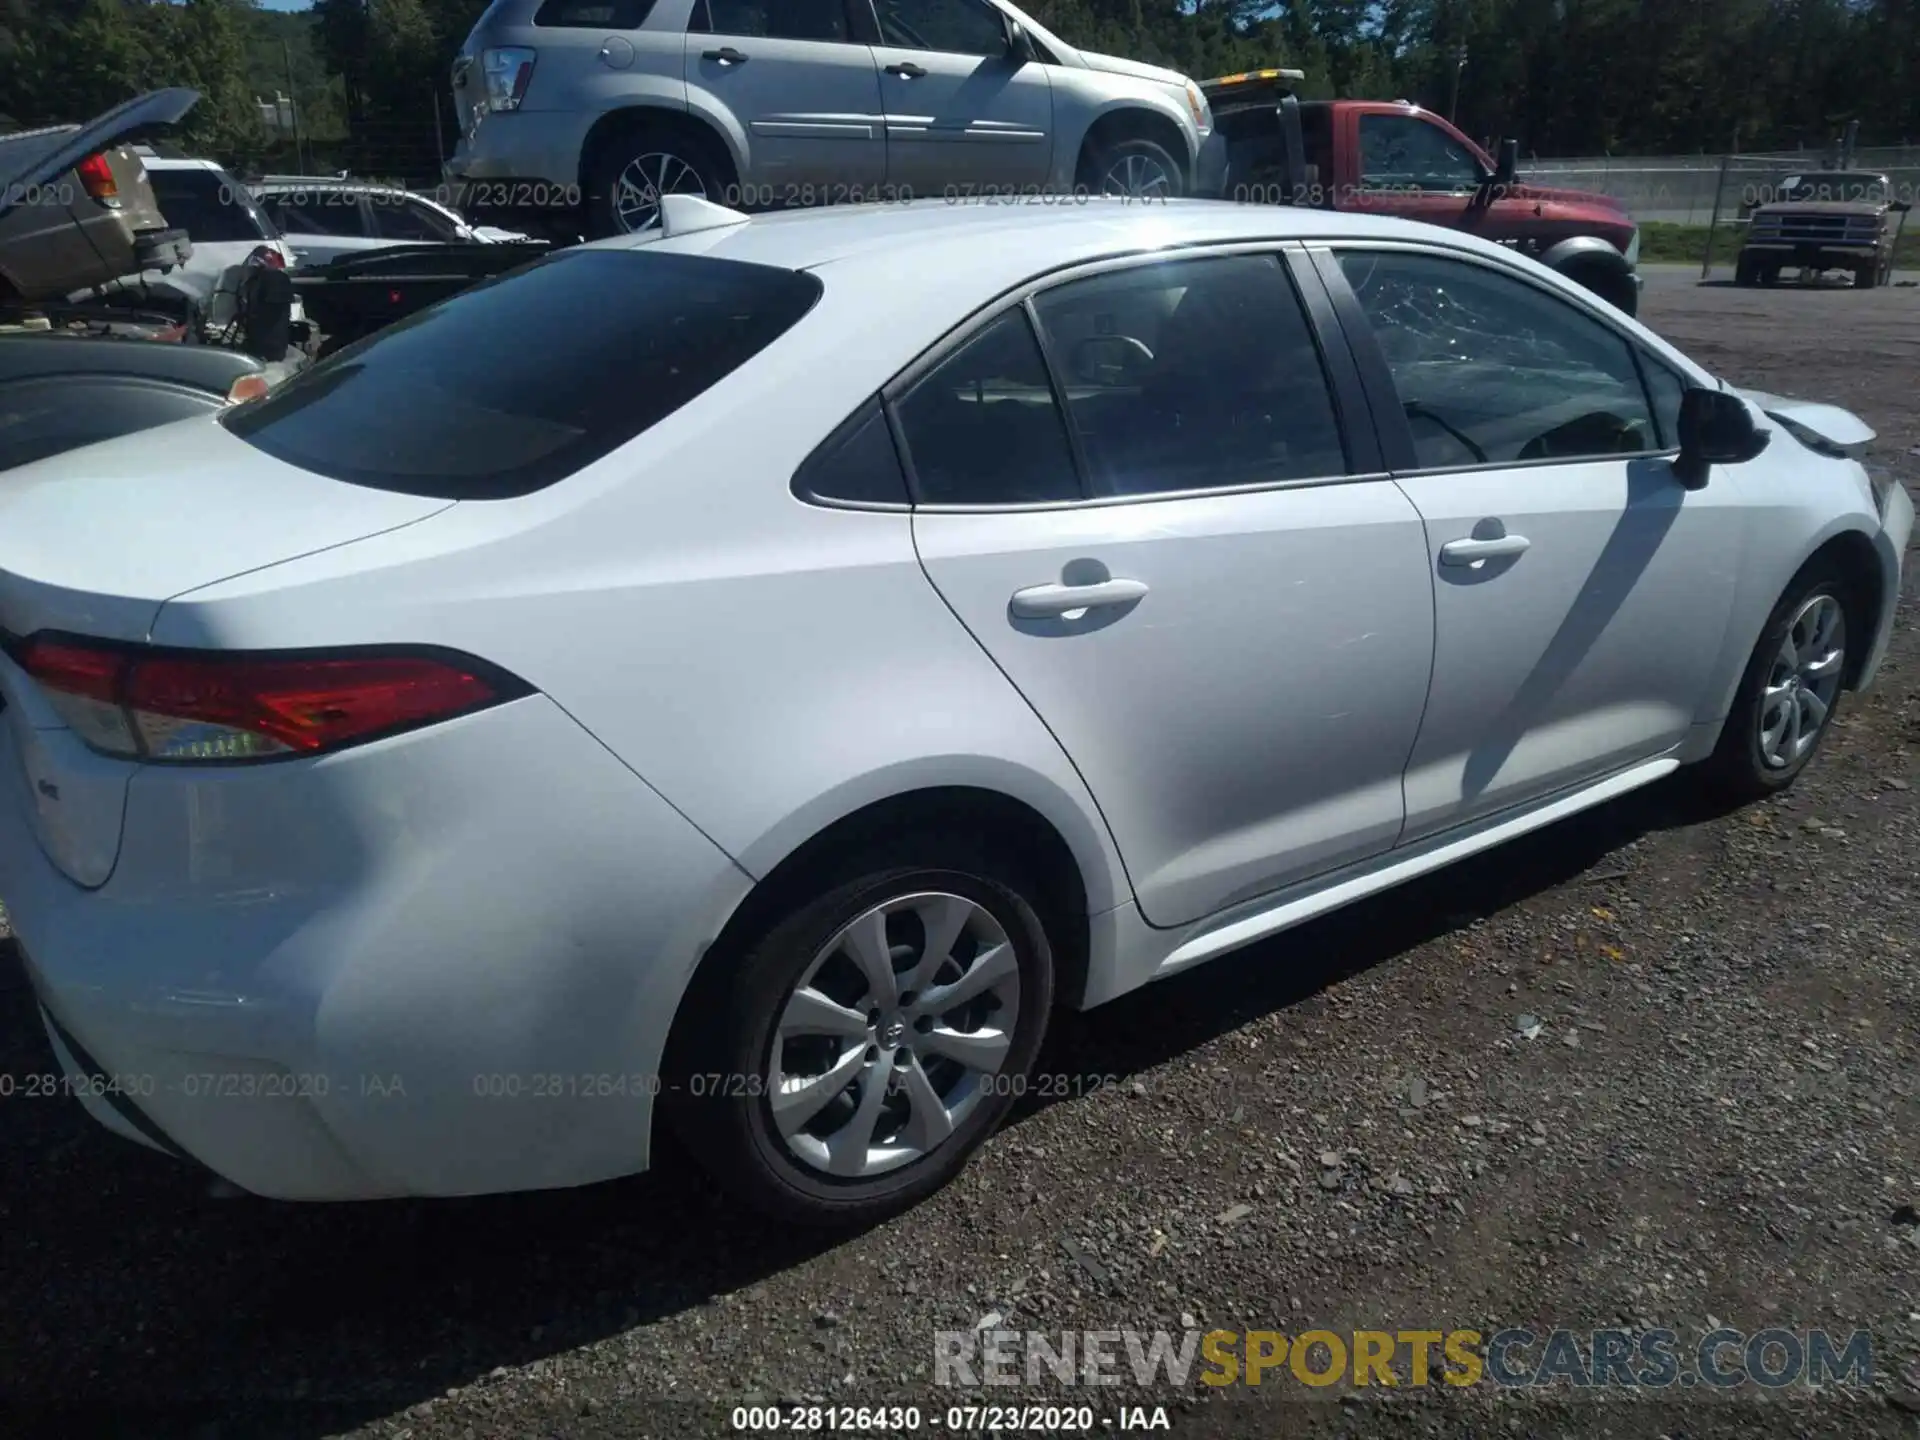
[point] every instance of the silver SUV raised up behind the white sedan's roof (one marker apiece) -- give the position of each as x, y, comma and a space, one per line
579, 114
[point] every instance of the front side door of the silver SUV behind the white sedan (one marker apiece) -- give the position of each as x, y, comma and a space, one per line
963, 114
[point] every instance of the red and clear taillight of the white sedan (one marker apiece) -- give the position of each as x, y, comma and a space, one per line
235, 706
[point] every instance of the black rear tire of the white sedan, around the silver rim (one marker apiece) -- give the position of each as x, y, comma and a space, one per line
729, 1124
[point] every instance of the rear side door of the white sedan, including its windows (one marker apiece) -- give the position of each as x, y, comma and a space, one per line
1140, 492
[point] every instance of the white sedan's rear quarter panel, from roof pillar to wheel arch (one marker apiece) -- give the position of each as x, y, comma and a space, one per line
765, 665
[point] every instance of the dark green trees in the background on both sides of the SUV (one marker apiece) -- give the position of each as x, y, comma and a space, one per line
1564, 78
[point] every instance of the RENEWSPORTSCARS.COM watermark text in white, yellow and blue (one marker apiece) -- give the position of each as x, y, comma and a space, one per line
1510, 1358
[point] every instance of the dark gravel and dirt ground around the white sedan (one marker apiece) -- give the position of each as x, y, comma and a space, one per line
1717, 1122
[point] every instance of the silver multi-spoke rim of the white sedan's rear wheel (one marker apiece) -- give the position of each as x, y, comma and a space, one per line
894, 1034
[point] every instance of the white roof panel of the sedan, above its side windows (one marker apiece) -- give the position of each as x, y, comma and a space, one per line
992, 247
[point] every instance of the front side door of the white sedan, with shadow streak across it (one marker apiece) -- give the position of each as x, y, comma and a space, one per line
1581, 592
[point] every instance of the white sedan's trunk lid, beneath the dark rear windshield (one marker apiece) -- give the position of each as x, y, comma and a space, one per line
95, 542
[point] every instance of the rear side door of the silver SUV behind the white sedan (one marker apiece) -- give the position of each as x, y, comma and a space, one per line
802, 85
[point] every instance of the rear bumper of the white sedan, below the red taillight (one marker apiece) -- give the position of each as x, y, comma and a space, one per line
437, 965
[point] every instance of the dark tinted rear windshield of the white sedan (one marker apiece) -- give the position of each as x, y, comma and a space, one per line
521, 381
